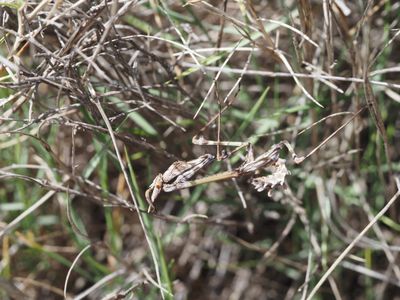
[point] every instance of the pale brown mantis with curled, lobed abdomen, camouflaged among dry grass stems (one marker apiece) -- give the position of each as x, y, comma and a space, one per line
178, 175
